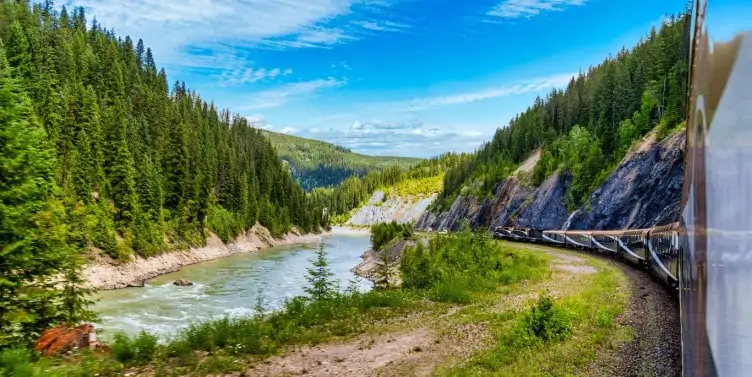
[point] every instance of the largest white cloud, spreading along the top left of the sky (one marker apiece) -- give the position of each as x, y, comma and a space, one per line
207, 33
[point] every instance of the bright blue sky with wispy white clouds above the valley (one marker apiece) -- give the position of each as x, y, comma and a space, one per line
386, 77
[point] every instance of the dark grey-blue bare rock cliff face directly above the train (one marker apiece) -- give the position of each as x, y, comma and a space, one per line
643, 191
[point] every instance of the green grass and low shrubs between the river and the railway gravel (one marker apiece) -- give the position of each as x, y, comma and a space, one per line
477, 278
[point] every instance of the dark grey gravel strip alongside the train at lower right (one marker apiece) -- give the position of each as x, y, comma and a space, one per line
654, 316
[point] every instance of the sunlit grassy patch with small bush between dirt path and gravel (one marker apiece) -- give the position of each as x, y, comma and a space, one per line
553, 336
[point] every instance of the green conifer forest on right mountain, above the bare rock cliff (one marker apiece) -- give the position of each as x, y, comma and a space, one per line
585, 129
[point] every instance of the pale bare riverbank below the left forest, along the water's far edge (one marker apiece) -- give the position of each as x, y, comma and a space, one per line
104, 273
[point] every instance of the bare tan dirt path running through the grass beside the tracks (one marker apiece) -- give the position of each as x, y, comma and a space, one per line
417, 351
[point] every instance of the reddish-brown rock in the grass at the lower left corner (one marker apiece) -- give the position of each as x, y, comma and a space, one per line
62, 339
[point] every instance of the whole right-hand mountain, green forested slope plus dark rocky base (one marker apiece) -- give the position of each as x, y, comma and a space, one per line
603, 153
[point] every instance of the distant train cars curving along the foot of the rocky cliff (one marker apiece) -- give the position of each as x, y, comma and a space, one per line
656, 250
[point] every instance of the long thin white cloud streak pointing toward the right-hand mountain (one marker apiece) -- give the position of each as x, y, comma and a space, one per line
534, 85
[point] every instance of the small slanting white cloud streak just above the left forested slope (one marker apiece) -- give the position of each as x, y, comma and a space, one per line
277, 97
